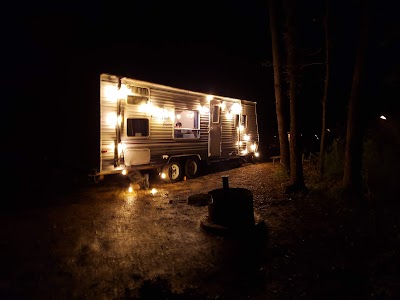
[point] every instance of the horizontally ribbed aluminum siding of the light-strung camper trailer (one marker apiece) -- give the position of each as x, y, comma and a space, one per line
160, 141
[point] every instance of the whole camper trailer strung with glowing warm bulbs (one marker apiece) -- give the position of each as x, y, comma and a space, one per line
174, 131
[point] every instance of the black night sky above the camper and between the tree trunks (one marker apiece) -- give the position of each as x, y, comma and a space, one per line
55, 54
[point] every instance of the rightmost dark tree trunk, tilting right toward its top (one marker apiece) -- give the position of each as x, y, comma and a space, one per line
352, 179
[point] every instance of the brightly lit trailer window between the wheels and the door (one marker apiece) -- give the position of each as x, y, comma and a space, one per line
187, 124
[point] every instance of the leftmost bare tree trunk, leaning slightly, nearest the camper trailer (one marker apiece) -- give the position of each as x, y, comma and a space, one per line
280, 115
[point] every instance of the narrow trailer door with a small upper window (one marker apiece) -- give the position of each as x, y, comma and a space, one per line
214, 136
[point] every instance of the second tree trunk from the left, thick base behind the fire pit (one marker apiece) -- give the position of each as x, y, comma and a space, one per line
296, 164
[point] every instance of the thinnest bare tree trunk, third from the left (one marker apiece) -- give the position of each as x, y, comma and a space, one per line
324, 99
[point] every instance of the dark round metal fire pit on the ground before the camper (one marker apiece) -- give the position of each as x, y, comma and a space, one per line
230, 210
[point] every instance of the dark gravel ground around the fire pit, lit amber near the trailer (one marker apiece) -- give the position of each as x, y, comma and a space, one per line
97, 241
